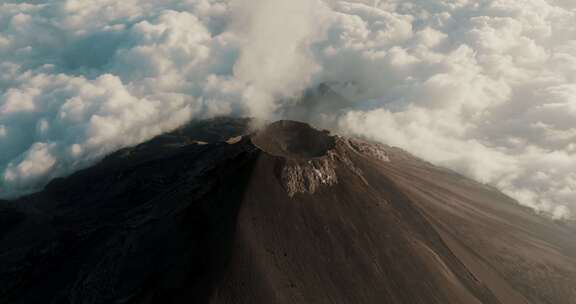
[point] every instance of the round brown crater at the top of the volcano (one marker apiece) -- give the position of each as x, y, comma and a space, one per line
292, 139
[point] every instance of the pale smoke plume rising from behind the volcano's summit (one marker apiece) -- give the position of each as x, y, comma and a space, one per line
275, 60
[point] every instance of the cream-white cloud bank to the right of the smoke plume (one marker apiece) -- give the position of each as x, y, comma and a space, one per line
474, 85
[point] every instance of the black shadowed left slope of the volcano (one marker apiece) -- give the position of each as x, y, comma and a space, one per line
149, 224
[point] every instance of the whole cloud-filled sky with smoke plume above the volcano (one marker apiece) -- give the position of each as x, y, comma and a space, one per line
484, 87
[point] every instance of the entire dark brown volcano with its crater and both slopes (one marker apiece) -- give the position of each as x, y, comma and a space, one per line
213, 213
